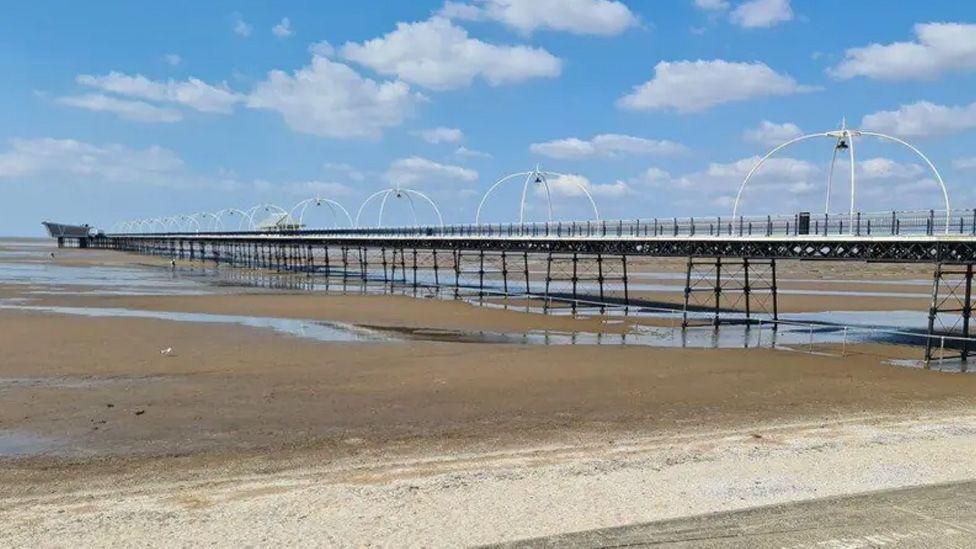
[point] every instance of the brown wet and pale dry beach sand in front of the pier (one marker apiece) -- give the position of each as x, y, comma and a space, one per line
247, 436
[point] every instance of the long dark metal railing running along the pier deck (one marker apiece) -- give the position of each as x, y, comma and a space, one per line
861, 224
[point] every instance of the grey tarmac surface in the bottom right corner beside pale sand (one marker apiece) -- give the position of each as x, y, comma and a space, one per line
929, 516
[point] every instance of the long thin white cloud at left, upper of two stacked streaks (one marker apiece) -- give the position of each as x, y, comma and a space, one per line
193, 93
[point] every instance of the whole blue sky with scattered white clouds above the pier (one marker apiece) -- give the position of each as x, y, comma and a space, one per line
114, 111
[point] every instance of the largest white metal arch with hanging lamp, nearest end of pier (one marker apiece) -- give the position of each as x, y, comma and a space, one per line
844, 139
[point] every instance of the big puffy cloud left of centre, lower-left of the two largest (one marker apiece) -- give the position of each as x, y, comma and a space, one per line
330, 99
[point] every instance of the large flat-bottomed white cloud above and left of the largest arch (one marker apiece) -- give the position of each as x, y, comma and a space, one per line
693, 86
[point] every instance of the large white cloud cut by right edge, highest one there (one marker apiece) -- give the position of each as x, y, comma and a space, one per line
938, 48
